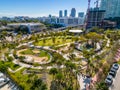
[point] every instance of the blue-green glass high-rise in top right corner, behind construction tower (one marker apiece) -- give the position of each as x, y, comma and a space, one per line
112, 8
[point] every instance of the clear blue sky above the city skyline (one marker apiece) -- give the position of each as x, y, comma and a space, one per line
38, 8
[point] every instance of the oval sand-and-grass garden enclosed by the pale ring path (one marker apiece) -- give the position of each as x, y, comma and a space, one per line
36, 56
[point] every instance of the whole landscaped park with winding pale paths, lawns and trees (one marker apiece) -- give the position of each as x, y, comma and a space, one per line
66, 63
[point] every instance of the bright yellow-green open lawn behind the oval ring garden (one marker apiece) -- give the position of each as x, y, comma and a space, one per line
49, 42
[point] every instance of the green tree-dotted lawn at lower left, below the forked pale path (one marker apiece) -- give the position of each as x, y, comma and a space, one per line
24, 80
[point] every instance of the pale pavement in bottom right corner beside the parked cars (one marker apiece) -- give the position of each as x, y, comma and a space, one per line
116, 81
